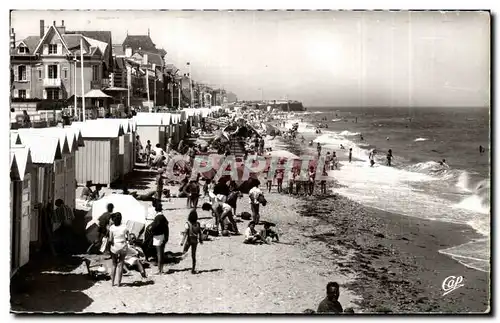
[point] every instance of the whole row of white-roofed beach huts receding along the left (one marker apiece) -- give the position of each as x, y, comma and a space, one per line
47, 164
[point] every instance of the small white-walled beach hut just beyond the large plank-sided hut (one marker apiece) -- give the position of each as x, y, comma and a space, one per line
150, 127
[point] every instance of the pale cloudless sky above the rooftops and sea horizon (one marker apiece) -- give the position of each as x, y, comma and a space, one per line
322, 58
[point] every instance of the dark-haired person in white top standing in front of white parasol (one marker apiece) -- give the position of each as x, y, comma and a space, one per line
118, 235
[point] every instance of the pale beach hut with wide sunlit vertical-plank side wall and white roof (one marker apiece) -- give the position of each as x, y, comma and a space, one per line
98, 160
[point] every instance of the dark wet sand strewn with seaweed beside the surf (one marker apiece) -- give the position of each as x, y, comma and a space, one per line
396, 258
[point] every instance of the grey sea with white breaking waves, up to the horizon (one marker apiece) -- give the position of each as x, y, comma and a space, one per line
416, 184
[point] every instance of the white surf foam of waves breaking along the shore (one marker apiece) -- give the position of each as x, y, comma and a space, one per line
401, 190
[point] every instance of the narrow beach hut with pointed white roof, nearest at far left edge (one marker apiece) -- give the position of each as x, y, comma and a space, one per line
20, 205
